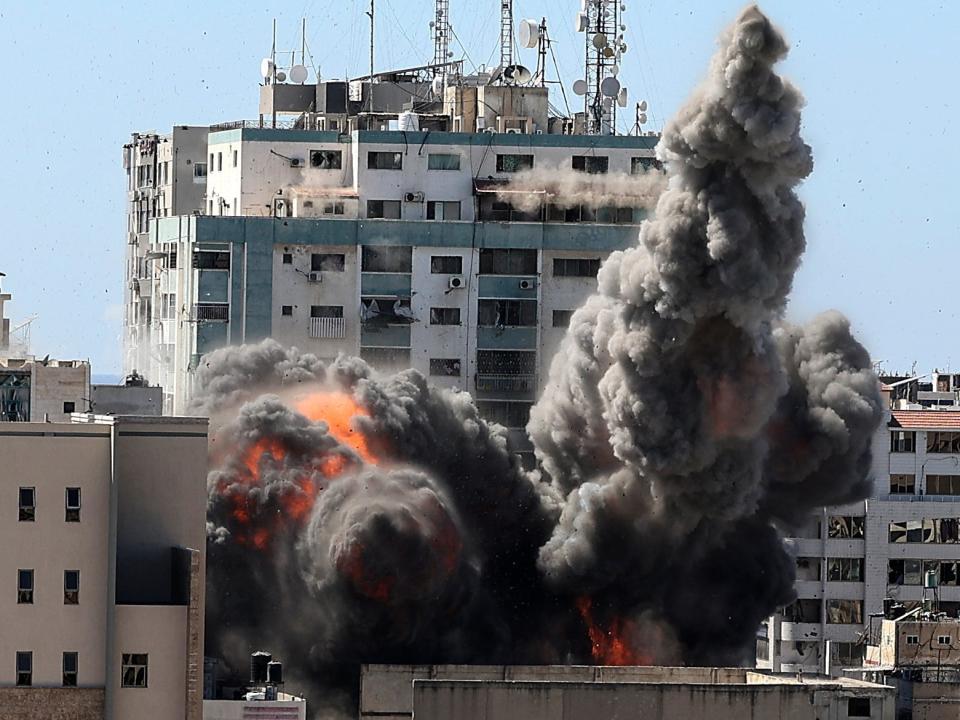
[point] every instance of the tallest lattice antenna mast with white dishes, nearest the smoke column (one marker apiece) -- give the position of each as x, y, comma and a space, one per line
602, 92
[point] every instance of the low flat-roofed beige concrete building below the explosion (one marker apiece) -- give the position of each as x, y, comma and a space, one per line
466, 692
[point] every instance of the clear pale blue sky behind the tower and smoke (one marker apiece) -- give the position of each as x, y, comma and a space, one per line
879, 78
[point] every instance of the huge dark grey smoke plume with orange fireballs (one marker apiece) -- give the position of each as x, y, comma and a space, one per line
684, 425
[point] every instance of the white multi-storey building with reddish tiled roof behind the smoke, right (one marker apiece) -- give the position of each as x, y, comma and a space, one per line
902, 545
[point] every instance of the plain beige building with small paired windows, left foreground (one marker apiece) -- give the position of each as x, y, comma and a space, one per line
103, 532
